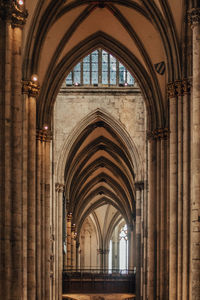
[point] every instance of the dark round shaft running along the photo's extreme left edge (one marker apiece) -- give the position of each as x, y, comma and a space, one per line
5, 159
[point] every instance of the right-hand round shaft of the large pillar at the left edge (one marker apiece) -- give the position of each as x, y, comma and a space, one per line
16, 190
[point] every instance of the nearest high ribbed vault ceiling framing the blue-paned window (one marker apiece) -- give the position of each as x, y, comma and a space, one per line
140, 33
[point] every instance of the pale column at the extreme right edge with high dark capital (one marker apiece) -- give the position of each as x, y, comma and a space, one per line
194, 19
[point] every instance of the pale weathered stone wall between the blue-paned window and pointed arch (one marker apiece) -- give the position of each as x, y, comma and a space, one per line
127, 108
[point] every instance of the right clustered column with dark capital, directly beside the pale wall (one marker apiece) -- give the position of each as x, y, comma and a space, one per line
157, 214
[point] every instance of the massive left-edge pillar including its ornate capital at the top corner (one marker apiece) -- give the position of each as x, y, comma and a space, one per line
12, 19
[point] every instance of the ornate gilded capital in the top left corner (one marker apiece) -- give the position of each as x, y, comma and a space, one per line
13, 12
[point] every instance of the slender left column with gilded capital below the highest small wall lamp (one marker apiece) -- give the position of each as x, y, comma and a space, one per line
31, 89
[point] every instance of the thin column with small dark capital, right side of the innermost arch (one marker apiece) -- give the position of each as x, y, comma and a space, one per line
139, 186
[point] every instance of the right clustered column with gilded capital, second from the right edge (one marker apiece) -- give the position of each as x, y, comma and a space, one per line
179, 195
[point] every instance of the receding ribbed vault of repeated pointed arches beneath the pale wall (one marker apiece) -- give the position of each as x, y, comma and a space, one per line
99, 171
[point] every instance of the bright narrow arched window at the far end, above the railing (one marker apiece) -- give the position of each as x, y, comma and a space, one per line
123, 249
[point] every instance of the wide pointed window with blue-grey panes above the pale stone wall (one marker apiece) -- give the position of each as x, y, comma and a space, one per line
100, 69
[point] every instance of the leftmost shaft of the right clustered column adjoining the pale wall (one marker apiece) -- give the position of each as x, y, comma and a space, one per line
151, 257
